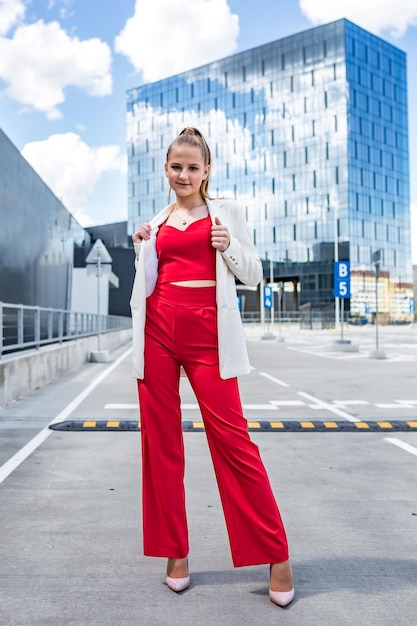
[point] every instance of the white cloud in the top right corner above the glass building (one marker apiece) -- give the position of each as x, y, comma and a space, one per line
374, 15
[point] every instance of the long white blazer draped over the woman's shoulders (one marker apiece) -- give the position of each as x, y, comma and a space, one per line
240, 260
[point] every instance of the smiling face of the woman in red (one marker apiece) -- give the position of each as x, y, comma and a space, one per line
185, 170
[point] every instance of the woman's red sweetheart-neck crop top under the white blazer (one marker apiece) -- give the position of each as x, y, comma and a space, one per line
186, 254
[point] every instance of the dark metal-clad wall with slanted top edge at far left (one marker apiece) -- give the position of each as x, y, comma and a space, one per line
37, 236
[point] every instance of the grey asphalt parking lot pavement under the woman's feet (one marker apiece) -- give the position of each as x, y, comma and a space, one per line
71, 545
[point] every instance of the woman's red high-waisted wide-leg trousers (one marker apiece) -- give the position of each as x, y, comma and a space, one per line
181, 329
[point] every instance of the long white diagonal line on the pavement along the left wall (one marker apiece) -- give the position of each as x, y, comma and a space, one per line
7, 468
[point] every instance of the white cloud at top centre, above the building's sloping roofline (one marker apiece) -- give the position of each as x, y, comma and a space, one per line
164, 37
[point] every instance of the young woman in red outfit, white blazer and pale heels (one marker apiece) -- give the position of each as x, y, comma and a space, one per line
185, 314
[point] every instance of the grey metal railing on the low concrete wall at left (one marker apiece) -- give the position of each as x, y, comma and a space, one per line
23, 327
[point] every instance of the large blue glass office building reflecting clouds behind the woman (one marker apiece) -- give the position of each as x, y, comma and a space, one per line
310, 134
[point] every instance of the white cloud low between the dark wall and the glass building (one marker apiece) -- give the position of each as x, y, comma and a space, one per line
72, 168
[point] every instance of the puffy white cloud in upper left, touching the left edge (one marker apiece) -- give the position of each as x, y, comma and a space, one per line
41, 60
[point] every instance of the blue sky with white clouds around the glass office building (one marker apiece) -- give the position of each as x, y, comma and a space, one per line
65, 67
